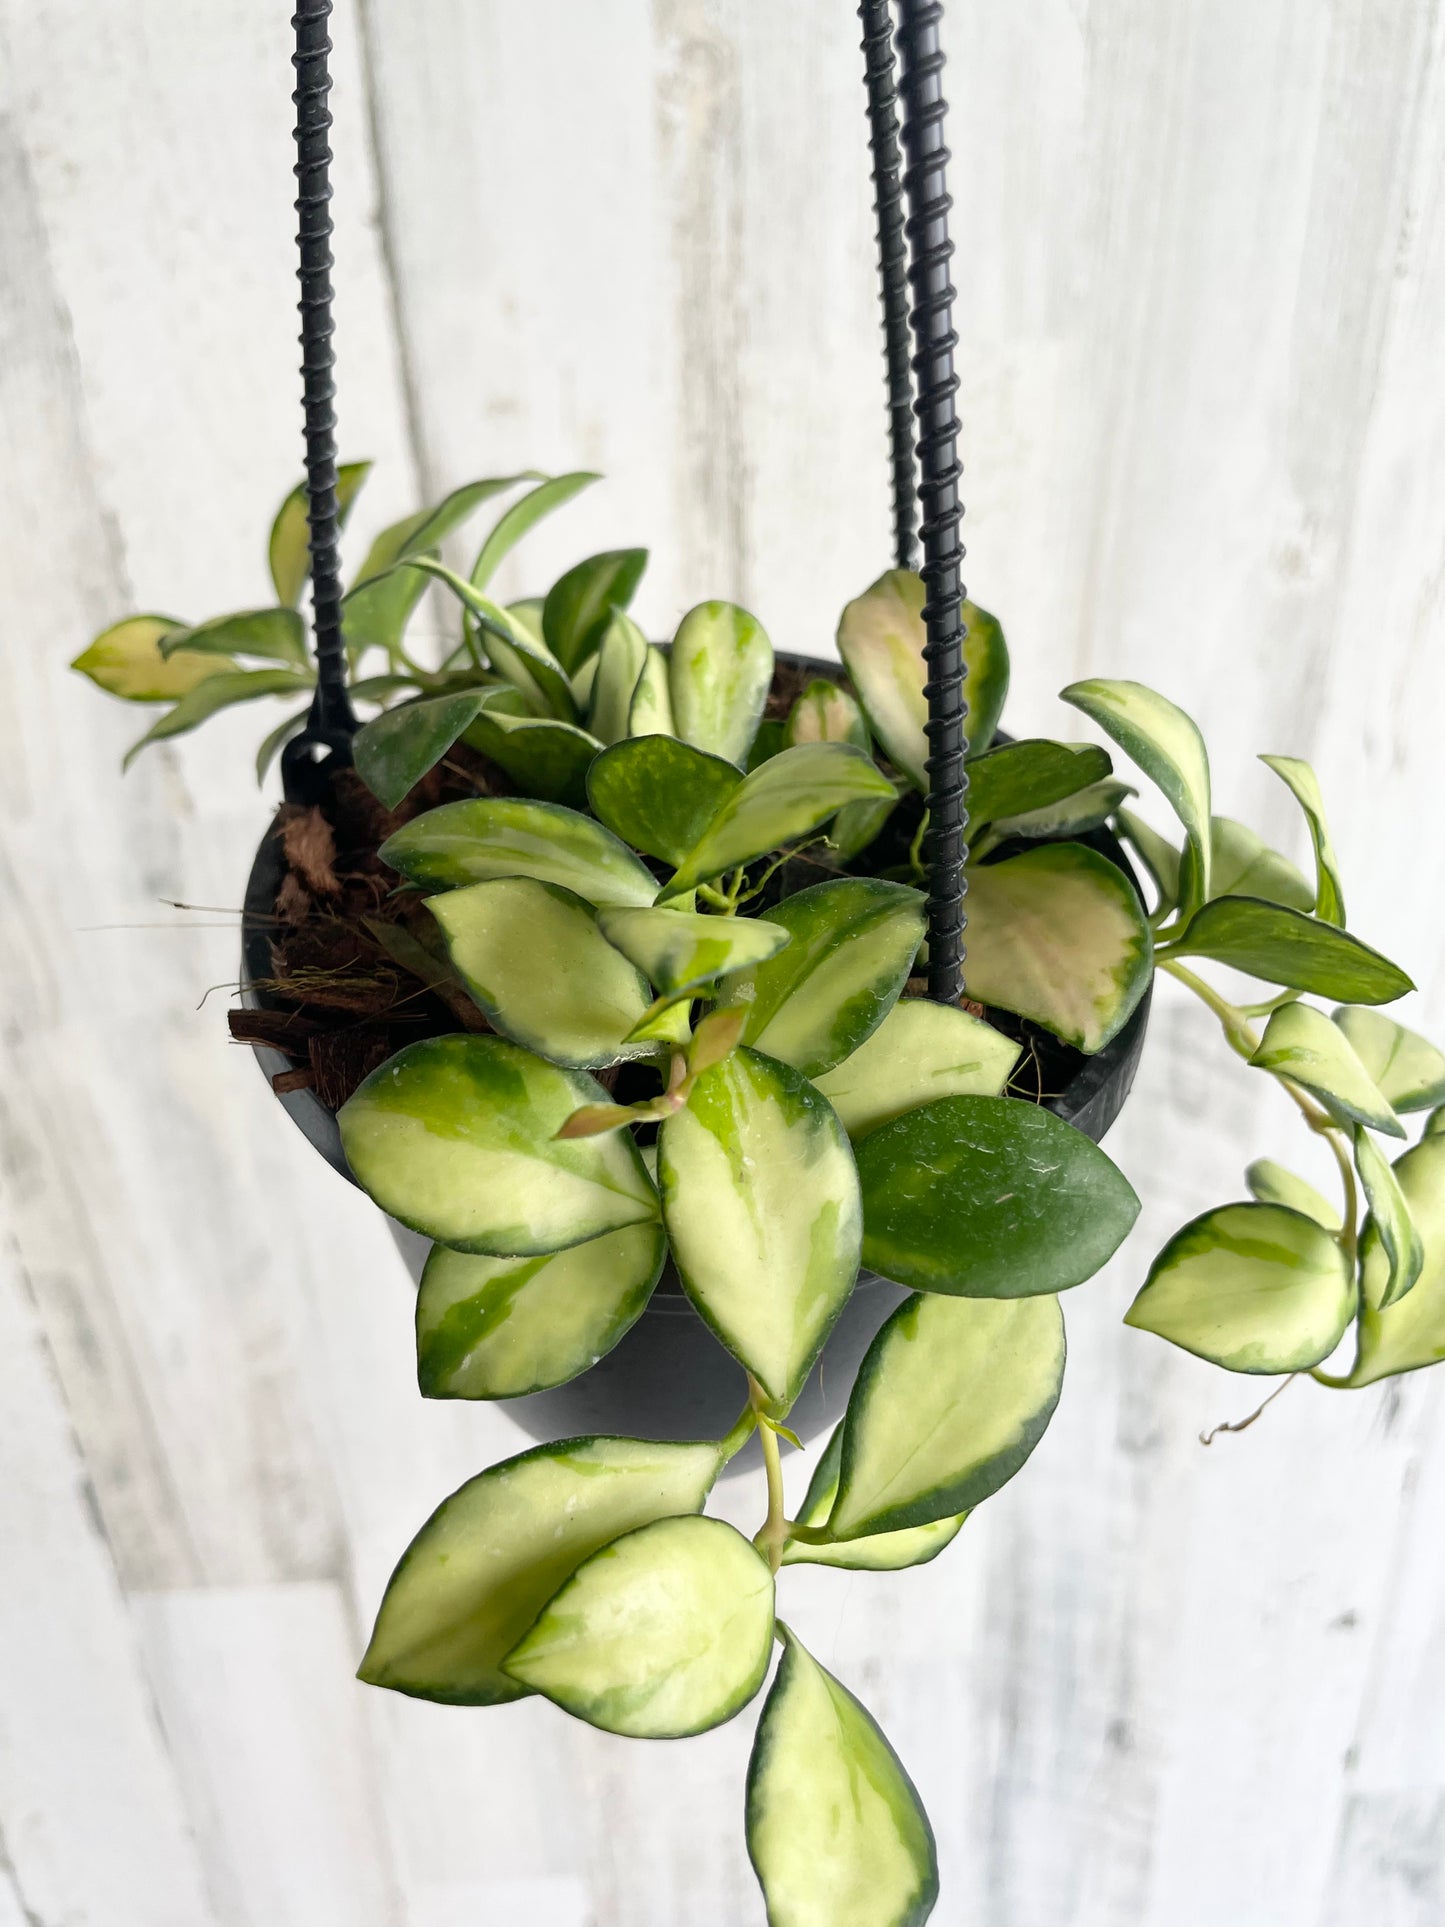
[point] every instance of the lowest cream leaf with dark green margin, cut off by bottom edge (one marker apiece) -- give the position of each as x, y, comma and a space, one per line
837, 1832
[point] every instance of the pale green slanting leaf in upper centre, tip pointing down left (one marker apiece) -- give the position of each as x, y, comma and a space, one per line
783, 801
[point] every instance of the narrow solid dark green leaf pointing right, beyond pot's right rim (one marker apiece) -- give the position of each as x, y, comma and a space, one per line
1288, 947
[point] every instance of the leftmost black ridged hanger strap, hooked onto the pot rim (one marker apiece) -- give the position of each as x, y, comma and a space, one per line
332, 720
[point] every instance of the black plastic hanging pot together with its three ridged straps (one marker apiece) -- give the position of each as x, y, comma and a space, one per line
670, 1377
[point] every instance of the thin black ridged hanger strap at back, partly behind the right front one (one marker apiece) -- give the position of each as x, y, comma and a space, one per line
893, 269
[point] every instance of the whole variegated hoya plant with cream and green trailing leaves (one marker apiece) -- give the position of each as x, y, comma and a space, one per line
698, 895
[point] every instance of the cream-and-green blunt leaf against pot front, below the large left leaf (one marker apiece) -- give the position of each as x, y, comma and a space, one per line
498, 1329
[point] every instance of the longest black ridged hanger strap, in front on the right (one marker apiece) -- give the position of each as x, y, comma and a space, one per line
939, 473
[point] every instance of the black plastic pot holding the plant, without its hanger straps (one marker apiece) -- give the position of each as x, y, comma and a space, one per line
670, 1377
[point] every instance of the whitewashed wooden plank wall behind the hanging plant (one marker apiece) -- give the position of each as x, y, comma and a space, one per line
1203, 313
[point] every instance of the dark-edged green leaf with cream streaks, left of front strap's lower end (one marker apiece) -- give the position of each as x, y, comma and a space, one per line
853, 949
